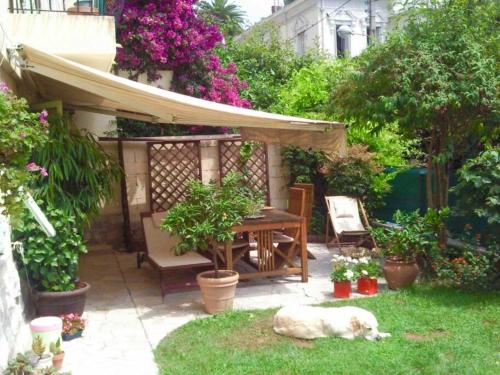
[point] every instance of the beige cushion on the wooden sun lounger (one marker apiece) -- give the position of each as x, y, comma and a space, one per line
160, 247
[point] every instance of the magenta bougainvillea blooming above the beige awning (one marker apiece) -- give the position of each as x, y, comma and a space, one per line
160, 35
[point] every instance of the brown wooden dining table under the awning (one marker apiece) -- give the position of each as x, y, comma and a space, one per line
272, 260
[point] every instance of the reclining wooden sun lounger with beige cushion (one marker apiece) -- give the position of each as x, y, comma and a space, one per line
161, 257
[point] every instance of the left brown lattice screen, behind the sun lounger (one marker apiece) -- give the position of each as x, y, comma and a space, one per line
171, 165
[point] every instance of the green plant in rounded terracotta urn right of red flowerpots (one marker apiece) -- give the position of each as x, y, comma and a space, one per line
412, 235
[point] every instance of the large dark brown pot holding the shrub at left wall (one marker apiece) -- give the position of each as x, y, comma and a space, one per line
60, 303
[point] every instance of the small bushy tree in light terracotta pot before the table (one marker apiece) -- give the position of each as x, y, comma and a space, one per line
202, 221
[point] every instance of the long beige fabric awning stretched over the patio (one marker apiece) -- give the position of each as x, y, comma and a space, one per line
86, 88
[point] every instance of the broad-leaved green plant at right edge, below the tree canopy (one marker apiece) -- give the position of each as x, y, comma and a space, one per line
478, 187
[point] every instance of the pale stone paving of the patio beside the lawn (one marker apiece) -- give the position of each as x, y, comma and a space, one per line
127, 316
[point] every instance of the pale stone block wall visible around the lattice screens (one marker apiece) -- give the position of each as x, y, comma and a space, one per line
108, 228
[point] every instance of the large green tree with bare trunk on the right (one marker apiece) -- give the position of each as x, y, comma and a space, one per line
437, 78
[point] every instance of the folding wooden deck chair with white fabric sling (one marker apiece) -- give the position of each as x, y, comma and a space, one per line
348, 219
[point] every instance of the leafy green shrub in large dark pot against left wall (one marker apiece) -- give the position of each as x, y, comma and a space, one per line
52, 263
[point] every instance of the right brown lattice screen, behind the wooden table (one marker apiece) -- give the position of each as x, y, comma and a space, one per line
257, 173
